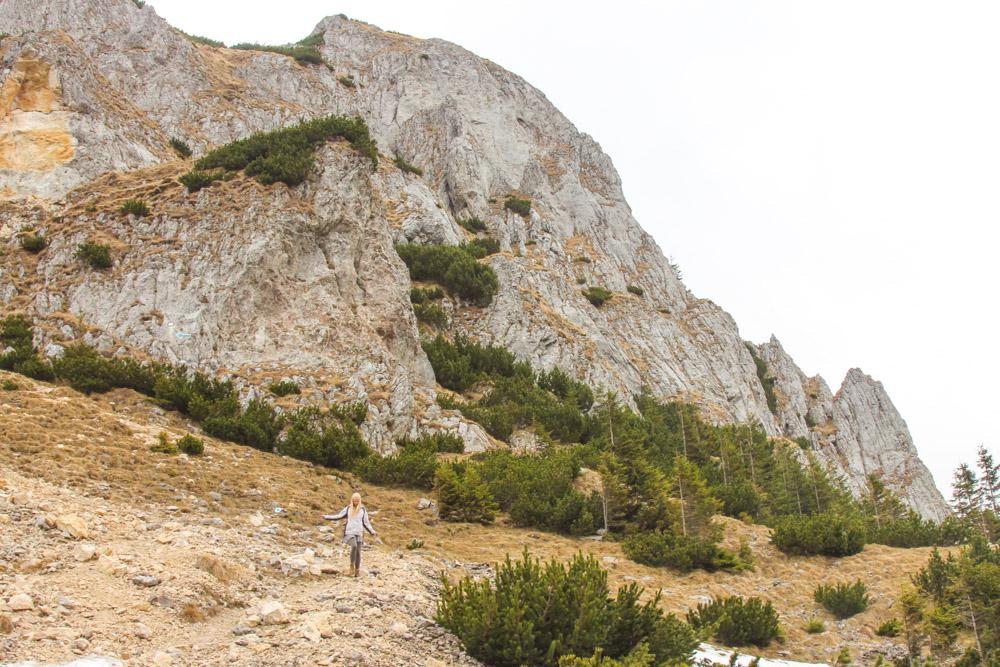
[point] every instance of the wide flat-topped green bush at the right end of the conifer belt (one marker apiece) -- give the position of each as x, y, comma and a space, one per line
828, 534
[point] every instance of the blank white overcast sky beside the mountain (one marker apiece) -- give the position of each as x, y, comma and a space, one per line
825, 171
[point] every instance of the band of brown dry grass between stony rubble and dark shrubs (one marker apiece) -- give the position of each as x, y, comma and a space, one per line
101, 445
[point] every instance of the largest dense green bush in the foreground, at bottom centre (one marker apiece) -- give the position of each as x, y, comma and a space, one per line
534, 614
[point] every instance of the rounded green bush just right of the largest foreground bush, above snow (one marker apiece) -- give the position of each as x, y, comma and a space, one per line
736, 621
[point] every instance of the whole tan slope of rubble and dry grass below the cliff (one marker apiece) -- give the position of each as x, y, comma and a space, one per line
116, 550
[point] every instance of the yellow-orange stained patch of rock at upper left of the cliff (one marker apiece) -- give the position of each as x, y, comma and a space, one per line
34, 133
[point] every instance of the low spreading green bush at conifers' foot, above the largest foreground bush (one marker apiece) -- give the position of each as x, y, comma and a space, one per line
663, 548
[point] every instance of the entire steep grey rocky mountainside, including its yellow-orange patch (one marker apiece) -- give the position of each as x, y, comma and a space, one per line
120, 82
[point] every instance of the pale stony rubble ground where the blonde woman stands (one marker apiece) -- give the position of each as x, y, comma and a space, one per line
80, 575
